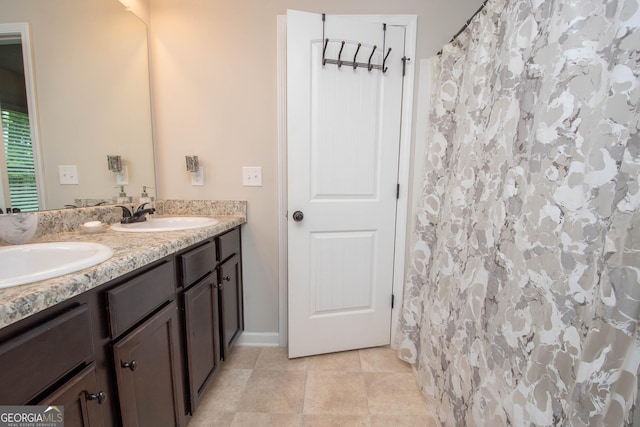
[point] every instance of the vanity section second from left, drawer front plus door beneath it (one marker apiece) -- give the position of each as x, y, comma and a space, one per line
145, 328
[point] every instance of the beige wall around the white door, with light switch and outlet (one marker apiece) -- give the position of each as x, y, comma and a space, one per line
214, 87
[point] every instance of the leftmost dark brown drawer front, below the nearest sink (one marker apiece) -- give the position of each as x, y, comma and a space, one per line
35, 360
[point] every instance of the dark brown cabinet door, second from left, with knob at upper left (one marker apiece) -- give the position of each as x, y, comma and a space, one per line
149, 374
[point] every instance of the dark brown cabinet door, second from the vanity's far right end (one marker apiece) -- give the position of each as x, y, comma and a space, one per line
202, 335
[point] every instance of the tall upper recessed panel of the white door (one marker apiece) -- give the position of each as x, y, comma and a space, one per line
345, 145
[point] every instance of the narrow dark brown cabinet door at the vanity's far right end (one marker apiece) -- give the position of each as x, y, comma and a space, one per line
230, 303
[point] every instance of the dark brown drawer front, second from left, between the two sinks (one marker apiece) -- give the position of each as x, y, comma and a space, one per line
132, 301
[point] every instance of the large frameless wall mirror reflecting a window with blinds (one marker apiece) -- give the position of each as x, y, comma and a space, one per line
90, 84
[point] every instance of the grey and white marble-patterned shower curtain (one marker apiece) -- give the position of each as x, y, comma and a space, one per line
523, 297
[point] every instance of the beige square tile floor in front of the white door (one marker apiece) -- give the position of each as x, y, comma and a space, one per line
260, 386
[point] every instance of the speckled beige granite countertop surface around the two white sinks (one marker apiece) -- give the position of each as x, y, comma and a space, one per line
130, 252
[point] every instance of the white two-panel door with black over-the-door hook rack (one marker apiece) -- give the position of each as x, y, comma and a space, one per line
343, 136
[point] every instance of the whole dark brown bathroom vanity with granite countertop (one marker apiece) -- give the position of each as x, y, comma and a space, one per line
134, 341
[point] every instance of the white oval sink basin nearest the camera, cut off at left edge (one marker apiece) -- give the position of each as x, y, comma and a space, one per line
29, 263
